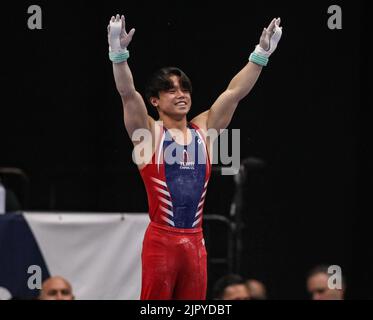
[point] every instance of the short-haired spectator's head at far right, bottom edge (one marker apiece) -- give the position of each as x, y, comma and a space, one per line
317, 285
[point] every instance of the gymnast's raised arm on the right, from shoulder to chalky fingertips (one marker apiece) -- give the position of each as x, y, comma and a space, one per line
220, 114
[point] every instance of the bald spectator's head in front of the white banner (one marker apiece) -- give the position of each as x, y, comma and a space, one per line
56, 288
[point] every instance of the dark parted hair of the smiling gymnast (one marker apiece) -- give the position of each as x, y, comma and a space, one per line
160, 81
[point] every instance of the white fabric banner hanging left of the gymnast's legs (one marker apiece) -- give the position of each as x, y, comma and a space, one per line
99, 254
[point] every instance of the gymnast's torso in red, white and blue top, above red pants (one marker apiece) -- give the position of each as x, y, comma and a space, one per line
176, 179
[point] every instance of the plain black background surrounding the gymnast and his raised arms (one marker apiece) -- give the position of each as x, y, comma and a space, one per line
61, 121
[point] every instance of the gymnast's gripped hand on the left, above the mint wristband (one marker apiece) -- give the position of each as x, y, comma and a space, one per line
118, 38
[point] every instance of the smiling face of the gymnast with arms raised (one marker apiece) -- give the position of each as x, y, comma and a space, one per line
174, 102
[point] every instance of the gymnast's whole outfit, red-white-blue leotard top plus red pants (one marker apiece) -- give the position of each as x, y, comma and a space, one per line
174, 255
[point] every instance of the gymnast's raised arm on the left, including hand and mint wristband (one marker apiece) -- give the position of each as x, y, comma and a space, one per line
134, 109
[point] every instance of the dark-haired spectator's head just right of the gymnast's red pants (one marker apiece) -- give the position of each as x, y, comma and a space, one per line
231, 287
